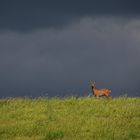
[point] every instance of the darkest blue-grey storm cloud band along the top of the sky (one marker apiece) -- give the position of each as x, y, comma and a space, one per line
26, 15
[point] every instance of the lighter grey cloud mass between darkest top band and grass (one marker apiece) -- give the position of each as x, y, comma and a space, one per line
61, 62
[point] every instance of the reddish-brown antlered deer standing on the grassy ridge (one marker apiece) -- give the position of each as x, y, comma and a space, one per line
99, 92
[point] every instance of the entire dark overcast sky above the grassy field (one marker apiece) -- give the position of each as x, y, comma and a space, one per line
53, 48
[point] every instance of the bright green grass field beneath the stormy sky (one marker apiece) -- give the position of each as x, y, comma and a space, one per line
70, 119
